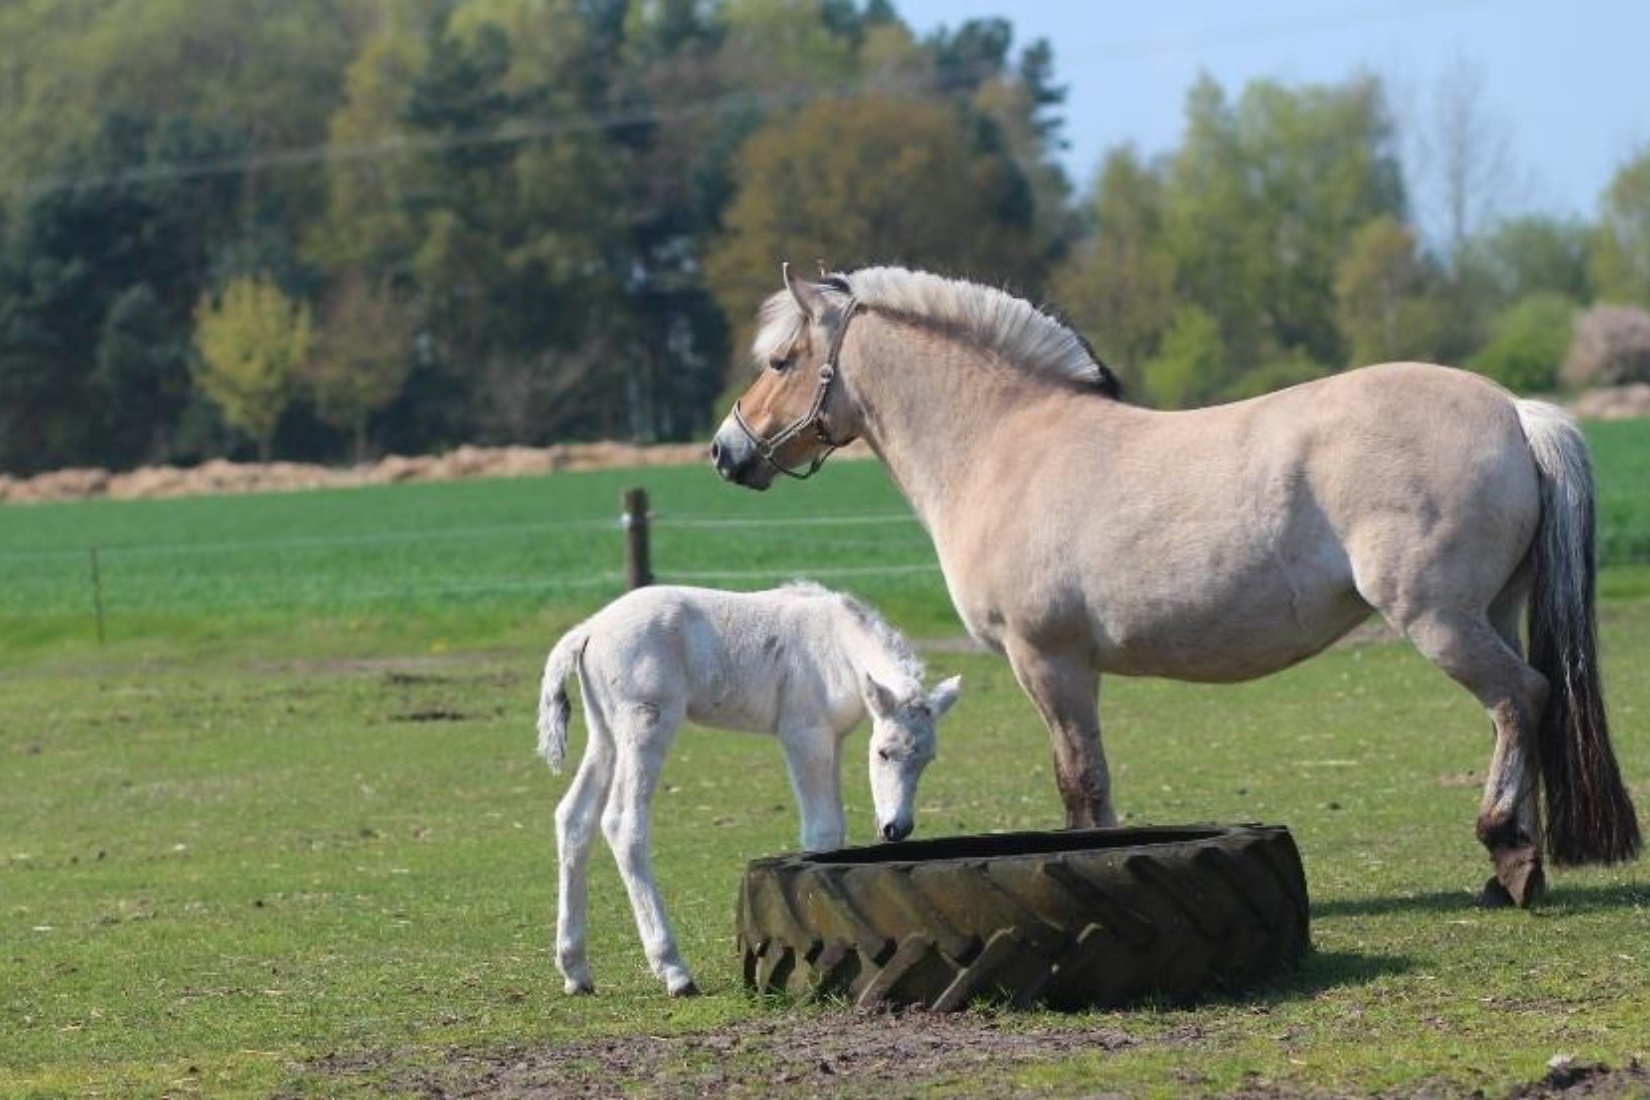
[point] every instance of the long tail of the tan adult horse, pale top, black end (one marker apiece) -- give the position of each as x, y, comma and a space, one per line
1590, 816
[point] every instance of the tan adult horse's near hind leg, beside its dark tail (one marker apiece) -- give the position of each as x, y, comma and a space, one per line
1486, 660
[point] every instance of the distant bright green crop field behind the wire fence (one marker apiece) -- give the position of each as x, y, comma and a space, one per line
481, 557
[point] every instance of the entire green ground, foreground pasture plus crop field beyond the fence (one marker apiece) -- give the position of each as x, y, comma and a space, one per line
283, 834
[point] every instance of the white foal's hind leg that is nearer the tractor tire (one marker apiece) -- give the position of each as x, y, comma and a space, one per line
644, 736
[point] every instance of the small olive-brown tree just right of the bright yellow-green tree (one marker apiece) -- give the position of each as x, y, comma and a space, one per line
364, 355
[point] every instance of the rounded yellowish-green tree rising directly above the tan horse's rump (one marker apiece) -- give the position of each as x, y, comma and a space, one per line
1384, 296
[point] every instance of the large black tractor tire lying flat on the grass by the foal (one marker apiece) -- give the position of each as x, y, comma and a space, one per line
1068, 919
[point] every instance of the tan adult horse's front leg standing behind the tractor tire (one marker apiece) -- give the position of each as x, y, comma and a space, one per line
1067, 692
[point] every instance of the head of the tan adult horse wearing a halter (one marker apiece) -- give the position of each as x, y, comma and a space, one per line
796, 411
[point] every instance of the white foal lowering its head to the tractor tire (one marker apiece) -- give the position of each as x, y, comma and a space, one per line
798, 662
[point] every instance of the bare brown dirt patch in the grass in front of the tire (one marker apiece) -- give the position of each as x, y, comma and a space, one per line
798, 1055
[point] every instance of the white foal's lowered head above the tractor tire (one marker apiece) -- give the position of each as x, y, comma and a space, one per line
902, 746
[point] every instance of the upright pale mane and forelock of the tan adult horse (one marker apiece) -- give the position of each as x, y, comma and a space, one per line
1014, 329
